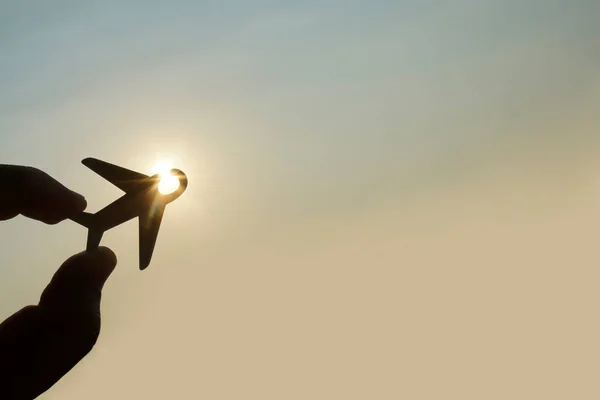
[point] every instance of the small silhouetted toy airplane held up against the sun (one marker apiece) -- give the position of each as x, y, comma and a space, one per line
141, 199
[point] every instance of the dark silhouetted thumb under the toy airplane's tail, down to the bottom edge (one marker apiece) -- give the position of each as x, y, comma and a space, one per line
40, 344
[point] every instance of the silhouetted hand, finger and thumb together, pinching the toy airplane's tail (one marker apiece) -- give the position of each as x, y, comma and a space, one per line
41, 343
